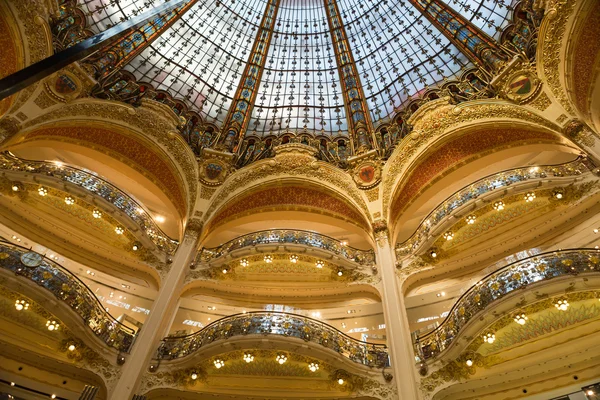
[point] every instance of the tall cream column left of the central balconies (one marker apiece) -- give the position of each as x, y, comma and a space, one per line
160, 318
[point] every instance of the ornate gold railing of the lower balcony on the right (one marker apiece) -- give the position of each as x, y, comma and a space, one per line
497, 285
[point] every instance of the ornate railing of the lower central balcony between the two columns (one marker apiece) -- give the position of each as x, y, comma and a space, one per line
276, 323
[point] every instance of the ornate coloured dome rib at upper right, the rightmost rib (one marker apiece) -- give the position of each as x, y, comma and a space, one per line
475, 44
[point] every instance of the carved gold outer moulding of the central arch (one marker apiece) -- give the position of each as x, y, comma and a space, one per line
290, 168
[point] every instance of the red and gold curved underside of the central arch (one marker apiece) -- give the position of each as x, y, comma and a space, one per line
292, 194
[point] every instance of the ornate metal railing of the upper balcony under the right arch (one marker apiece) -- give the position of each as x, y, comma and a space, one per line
483, 186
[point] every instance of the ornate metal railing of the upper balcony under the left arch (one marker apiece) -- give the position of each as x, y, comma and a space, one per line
98, 187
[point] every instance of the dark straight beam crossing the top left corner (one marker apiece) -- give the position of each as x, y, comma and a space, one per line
38, 71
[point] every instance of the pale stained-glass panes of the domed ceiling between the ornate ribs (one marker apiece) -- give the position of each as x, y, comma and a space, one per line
397, 51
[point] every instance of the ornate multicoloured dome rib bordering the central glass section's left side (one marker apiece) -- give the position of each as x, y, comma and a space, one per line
239, 114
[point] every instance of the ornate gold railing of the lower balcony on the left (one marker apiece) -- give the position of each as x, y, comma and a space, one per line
72, 291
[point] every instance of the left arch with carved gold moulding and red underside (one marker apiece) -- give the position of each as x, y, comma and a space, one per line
141, 135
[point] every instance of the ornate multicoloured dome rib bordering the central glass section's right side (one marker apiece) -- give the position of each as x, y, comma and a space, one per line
360, 126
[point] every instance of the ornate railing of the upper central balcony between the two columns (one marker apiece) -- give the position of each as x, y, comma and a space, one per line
282, 236
